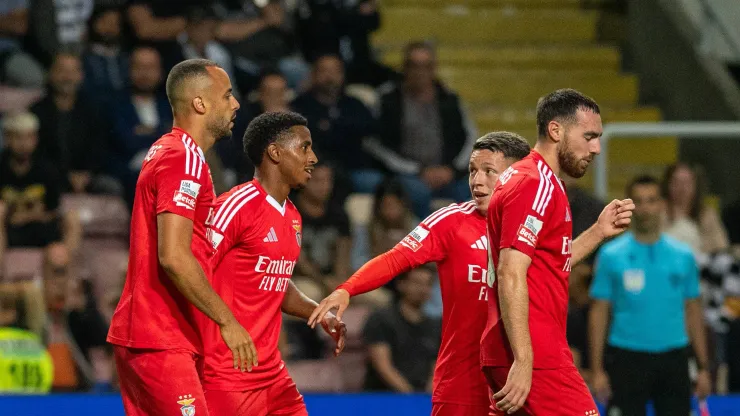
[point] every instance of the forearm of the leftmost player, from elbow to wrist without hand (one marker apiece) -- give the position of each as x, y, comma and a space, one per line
189, 278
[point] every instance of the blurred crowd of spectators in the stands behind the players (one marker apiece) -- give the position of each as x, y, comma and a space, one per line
84, 81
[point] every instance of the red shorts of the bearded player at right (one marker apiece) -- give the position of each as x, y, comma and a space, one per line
555, 392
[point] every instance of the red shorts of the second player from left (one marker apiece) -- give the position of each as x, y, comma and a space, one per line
279, 398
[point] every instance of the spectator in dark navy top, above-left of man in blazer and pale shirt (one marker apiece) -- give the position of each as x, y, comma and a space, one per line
105, 63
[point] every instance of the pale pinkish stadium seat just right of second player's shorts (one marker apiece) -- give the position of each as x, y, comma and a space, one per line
317, 376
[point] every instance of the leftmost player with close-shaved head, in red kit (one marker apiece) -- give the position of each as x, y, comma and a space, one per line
167, 290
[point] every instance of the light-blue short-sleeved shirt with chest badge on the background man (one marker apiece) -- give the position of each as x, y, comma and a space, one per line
647, 286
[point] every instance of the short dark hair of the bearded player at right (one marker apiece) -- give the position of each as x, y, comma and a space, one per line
562, 105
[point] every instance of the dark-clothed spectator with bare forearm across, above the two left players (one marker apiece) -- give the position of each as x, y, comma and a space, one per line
260, 37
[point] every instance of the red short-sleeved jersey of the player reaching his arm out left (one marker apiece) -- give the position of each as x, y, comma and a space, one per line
455, 238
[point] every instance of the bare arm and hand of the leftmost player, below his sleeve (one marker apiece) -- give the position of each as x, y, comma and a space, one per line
174, 239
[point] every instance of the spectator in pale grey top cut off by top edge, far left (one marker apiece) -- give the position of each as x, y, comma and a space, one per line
57, 26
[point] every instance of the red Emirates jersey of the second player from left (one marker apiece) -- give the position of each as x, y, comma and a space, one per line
257, 243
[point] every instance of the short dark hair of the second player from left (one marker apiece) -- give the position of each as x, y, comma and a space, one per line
268, 128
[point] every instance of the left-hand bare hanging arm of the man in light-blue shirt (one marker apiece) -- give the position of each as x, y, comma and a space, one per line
598, 322
